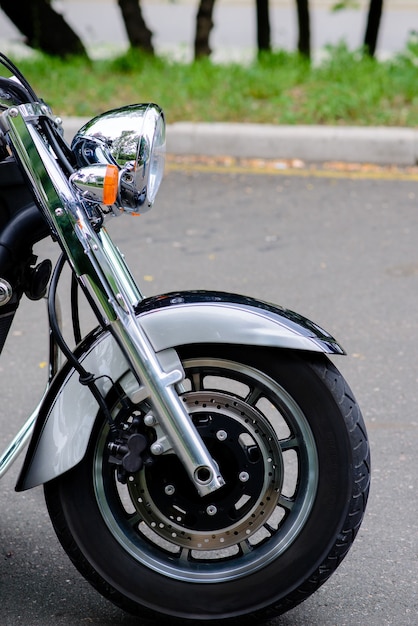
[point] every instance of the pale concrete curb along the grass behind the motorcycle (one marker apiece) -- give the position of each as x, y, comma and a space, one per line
380, 145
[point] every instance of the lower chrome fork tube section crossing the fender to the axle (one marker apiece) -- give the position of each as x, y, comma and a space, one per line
170, 413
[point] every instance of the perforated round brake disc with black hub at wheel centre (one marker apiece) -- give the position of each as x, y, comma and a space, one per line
245, 446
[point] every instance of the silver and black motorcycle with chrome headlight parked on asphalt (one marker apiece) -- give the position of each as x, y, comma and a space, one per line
202, 458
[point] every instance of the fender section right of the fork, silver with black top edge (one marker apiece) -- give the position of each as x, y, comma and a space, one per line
214, 317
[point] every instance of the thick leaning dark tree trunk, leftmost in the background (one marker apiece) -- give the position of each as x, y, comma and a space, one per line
44, 28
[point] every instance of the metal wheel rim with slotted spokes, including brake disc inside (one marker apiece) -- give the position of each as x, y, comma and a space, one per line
263, 443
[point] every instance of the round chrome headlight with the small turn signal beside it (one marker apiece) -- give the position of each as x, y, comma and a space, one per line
131, 138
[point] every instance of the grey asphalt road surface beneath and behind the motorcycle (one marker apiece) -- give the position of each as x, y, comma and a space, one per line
342, 251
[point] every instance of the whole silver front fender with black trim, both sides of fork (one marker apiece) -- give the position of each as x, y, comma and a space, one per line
67, 415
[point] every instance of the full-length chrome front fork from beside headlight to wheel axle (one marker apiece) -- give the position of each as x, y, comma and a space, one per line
99, 265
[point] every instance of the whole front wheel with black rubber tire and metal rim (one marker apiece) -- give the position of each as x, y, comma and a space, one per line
291, 443
